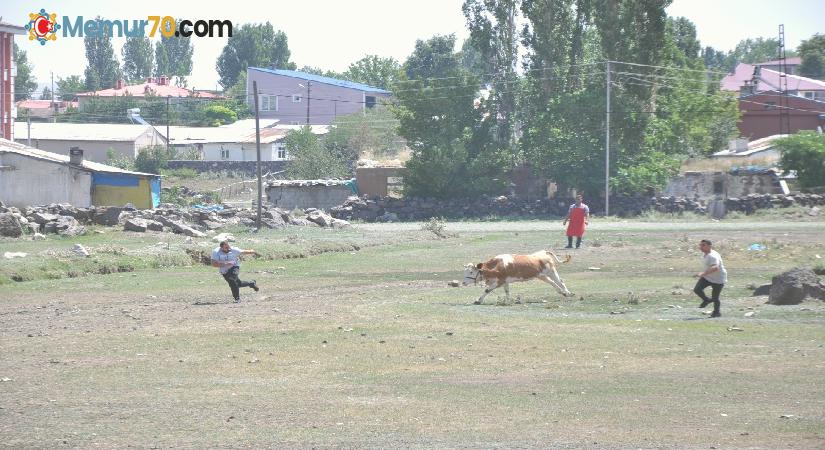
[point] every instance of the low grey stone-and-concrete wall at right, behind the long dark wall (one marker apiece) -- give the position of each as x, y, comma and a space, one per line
704, 185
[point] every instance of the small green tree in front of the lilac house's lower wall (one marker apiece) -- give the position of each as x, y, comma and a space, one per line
310, 159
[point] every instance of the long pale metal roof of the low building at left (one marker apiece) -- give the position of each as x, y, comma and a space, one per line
80, 131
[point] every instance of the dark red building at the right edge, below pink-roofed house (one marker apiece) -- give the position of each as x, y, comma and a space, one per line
761, 114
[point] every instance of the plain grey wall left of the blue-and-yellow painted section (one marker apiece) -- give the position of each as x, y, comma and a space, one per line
26, 181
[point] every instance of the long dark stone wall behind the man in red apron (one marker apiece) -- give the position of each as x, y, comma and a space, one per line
394, 209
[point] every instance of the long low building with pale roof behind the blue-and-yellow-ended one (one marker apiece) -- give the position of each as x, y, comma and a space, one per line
96, 139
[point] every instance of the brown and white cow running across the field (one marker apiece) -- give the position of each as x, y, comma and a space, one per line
505, 269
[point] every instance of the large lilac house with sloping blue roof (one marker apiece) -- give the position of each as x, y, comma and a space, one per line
298, 98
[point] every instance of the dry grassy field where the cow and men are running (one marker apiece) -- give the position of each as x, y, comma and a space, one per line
355, 340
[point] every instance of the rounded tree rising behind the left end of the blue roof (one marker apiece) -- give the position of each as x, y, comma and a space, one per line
253, 45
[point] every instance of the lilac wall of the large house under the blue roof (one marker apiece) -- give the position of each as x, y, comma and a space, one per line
326, 101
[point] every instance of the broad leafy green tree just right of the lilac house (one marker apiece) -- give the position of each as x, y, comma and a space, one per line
449, 138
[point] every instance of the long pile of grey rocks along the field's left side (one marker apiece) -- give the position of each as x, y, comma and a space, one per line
196, 222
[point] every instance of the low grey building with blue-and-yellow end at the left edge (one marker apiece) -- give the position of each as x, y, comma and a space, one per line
33, 177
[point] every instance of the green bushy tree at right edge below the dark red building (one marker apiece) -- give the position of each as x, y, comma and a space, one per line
804, 152
